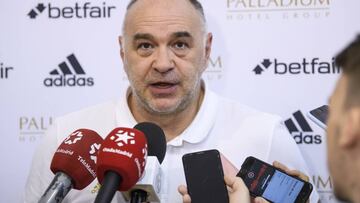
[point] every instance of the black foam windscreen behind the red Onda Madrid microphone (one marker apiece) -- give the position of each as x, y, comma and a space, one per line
155, 138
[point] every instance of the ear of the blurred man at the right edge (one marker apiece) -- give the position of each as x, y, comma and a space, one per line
351, 131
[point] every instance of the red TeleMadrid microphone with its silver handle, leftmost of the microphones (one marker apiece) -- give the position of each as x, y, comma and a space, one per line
74, 164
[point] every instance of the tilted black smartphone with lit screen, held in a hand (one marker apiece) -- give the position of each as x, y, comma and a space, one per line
263, 179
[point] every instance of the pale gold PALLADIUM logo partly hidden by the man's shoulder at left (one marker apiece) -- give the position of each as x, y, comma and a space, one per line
32, 128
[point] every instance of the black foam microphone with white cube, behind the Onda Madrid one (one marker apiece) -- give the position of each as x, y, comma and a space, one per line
148, 188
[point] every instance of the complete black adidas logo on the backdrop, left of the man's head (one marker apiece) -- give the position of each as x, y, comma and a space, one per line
68, 77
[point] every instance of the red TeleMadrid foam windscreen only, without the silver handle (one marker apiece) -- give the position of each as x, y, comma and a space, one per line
76, 157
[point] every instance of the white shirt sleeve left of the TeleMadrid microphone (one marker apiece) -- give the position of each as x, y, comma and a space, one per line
40, 175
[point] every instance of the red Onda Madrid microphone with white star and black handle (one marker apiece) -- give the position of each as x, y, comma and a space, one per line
121, 162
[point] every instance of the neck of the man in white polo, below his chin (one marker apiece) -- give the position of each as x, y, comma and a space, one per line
172, 124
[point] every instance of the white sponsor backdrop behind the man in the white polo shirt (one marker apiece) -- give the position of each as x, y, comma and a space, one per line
290, 42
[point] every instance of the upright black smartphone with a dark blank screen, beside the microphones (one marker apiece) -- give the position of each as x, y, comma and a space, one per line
205, 177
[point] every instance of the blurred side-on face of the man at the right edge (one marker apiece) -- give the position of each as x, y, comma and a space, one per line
337, 161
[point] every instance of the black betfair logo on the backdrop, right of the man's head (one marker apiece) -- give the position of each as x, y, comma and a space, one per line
312, 66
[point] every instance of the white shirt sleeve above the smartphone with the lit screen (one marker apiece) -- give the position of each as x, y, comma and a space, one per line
285, 150
